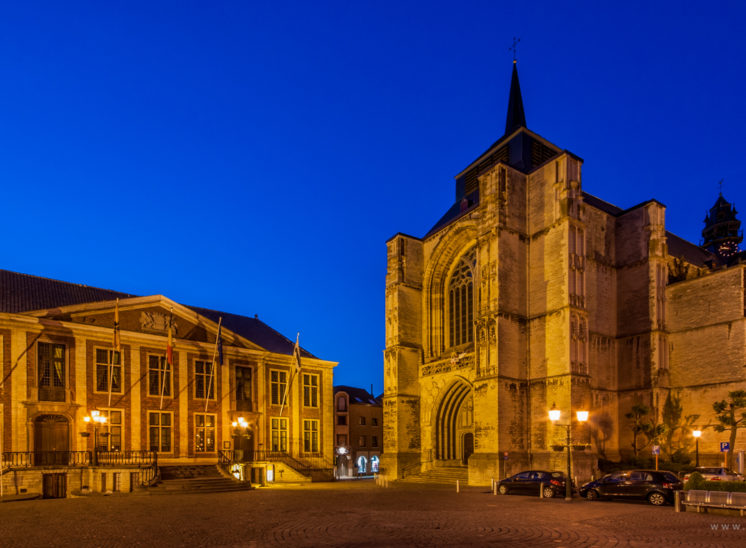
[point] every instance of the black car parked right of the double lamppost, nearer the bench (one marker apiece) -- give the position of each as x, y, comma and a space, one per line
655, 486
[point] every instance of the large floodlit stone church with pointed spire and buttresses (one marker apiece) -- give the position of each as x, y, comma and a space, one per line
530, 294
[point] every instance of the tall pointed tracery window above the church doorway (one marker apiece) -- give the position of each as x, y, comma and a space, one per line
461, 300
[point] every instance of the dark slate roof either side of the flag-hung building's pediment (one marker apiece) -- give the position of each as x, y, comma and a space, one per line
24, 292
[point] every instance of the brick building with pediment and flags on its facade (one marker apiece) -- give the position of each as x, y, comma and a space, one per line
61, 369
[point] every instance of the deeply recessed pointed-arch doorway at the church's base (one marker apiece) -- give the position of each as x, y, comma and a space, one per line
454, 413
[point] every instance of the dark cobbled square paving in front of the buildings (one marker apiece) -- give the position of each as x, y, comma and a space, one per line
357, 514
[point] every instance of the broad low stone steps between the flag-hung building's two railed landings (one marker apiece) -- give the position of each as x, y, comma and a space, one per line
195, 479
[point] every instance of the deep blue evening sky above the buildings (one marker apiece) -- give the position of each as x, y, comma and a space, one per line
254, 158
